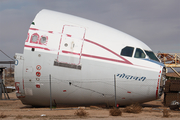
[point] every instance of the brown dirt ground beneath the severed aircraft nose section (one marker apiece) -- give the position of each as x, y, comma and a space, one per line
14, 109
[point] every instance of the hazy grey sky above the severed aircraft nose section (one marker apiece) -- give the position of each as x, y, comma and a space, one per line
155, 22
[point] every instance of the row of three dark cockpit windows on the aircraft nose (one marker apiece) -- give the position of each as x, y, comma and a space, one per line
139, 53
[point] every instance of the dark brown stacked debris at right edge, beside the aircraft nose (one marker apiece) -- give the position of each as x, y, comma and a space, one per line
171, 92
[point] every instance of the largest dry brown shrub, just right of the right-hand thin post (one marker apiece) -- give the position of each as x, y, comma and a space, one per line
134, 108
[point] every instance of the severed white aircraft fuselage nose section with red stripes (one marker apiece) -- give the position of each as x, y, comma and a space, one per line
81, 58
